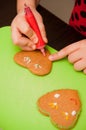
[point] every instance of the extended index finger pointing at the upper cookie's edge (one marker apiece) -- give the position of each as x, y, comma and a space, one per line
64, 52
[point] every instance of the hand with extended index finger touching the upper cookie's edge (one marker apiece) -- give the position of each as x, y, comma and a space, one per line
76, 53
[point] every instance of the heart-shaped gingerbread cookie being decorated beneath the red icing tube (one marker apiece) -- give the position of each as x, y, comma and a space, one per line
35, 61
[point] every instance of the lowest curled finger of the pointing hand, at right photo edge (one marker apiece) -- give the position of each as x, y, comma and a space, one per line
80, 65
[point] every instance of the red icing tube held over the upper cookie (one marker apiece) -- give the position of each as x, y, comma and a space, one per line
32, 21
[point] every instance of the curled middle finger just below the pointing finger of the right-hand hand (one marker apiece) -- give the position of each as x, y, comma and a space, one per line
75, 56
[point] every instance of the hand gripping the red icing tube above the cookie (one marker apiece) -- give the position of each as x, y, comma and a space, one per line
23, 35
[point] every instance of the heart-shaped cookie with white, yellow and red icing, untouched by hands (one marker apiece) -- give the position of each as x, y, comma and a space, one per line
62, 106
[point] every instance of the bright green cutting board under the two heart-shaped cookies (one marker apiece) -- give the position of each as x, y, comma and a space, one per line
20, 89
